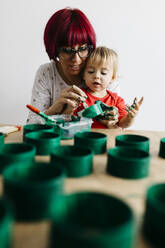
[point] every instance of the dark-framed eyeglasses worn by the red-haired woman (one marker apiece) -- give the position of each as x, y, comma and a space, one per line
69, 52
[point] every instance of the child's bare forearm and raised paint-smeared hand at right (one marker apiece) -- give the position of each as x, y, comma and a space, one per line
128, 120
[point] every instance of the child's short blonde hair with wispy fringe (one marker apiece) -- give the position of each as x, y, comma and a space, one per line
101, 54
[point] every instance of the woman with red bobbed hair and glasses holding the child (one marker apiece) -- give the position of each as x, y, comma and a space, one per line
69, 39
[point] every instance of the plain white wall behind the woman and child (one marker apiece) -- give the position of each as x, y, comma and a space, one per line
134, 28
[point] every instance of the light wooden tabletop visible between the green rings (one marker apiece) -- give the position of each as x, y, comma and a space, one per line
36, 234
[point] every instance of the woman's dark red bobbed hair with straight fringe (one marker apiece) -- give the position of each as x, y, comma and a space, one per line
67, 27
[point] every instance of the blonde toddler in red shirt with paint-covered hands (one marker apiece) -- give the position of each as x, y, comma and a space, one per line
101, 71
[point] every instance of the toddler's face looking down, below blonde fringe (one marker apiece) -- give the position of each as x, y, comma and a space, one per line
98, 77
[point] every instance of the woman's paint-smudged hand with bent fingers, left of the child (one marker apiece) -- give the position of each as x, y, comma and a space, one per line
68, 101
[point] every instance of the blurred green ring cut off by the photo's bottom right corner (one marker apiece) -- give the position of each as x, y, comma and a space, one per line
154, 218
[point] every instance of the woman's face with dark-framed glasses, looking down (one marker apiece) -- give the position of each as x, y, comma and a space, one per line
72, 59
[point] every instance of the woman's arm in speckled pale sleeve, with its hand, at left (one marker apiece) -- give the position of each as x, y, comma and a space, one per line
42, 95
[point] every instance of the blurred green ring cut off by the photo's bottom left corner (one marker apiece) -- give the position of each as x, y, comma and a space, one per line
6, 223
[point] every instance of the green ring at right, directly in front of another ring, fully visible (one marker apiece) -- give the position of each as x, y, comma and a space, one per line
127, 162
